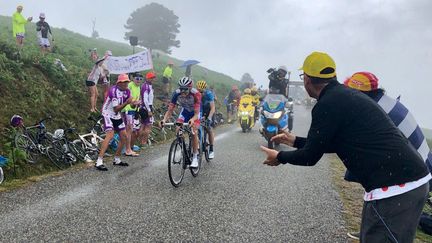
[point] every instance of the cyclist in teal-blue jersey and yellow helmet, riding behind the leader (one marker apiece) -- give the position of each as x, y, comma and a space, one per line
208, 109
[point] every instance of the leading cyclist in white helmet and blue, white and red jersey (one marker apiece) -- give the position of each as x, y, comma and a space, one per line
190, 100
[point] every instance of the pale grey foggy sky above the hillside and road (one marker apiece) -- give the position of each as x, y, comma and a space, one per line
391, 38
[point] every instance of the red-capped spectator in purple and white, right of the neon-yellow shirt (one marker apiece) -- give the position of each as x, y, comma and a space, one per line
146, 109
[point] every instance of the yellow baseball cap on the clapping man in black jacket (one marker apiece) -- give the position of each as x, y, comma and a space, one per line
319, 65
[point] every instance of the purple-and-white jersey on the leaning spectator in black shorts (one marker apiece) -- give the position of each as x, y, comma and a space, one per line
115, 97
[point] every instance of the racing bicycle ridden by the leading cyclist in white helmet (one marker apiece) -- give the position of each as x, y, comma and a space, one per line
180, 154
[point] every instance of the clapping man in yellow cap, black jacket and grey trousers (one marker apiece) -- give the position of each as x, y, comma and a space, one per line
350, 124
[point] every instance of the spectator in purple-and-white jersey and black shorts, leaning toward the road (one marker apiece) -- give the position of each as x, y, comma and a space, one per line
118, 97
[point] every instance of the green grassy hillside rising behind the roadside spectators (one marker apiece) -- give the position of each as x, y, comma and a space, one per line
34, 87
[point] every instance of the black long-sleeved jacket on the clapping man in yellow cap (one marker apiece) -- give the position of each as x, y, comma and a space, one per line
349, 123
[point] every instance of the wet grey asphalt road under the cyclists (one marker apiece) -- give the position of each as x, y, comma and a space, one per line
234, 199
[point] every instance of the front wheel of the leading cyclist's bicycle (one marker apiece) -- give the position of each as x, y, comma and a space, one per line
176, 162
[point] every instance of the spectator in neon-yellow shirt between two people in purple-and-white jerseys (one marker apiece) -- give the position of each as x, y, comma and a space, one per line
130, 113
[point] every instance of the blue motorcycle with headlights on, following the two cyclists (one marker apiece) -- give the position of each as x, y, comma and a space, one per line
274, 117
